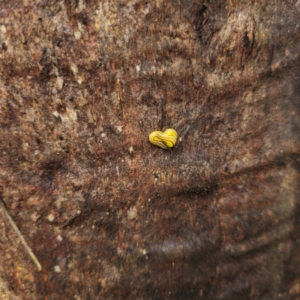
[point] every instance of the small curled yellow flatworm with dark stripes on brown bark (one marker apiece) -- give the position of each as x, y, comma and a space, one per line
164, 140
